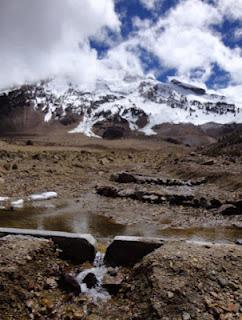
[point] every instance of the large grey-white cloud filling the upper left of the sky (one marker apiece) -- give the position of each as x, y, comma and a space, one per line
42, 38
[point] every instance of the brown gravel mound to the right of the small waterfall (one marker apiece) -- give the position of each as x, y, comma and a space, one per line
182, 281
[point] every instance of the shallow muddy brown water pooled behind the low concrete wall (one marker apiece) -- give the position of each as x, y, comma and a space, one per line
69, 216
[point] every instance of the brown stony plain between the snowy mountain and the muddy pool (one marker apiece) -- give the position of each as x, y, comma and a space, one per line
73, 165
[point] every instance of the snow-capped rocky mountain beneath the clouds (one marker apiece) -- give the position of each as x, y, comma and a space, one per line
133, 104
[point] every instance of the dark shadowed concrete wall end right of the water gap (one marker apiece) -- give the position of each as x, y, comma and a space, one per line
127, 251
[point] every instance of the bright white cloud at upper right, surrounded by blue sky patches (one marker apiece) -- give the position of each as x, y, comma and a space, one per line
186, 40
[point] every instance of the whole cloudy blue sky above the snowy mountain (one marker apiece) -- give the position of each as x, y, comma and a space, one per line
197, 41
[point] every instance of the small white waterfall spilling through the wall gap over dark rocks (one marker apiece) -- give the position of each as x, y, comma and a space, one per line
99, 270
